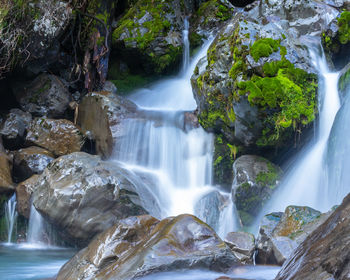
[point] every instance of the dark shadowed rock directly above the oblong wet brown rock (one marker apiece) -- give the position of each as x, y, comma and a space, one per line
47, 95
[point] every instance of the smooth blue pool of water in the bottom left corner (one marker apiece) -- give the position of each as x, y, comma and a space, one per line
25, 261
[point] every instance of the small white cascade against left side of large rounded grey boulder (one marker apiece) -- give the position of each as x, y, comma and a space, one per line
36, 227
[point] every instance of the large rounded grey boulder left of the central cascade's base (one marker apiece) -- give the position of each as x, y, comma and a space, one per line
81, 195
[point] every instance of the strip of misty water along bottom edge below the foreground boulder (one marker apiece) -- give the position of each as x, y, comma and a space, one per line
244, 272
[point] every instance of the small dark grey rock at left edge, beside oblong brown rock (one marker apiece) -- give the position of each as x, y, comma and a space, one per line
14, 128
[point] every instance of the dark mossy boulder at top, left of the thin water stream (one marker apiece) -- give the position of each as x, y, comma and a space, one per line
150, 35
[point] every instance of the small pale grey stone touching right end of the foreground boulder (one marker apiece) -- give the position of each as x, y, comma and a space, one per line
242, 245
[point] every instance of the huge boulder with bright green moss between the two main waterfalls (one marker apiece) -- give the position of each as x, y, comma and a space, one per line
257, 86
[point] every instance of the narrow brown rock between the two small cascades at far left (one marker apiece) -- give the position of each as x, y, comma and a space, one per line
24, 192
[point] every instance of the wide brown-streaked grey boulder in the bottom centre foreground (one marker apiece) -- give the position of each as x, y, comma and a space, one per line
142, 245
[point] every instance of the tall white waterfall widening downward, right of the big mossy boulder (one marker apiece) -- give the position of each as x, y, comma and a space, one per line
305, 183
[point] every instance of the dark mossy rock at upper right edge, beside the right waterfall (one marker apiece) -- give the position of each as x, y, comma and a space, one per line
336, 39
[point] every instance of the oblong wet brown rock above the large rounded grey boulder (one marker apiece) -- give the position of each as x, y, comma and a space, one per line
60, 137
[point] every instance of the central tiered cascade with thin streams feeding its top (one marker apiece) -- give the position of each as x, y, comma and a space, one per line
170, 153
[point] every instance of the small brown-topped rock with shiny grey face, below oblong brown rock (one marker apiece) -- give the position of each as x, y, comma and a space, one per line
30, 161
